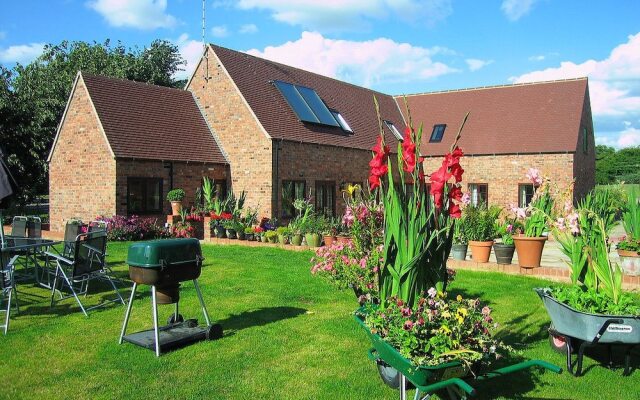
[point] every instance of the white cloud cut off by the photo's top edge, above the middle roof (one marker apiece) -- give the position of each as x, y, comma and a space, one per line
342, 15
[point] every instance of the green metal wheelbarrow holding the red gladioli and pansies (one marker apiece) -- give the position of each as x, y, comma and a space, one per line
451, 377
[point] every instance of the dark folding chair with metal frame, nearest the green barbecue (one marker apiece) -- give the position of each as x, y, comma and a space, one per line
88, 263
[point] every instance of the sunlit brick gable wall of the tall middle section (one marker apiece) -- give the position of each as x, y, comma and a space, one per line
248, 148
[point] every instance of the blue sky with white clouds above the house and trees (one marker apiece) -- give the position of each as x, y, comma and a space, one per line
395, 46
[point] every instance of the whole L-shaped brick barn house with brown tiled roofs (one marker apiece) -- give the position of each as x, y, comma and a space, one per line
285, 133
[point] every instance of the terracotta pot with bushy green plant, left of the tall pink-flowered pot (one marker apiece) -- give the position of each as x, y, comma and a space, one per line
480, 230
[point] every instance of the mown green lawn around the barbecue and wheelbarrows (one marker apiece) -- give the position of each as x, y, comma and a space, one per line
288, 335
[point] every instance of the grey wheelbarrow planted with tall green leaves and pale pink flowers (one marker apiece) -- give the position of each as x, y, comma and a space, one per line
594, 309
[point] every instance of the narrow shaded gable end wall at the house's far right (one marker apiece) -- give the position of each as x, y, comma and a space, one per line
584, 165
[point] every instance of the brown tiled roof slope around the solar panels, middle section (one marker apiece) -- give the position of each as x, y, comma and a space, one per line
253, 77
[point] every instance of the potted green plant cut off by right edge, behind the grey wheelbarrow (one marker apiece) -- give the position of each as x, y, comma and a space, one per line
629, 247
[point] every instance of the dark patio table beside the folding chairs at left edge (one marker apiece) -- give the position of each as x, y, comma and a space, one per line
32, 249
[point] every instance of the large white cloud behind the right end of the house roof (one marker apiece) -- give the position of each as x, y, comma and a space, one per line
614, 87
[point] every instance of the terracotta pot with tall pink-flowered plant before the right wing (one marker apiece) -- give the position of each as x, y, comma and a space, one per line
530, 243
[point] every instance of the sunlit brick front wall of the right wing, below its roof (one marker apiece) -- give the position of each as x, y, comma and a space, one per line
503, 173
